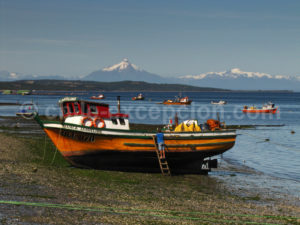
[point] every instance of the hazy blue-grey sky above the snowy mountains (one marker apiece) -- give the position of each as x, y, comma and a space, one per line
165, 37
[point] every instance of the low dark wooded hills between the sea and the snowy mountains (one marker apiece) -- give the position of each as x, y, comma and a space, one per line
38, 86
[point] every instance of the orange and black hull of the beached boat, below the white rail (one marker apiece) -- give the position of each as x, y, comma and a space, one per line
134, 153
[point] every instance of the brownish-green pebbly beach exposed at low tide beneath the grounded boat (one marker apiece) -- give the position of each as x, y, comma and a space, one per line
32, 172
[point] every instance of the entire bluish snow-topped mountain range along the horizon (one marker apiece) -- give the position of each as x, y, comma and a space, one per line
234, 78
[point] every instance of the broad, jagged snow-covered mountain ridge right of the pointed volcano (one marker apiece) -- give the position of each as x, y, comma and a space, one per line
234, 73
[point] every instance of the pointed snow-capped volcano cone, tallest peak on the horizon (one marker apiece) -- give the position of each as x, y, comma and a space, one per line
124, 71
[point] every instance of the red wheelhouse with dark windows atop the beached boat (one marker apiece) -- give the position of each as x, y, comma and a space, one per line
72, 106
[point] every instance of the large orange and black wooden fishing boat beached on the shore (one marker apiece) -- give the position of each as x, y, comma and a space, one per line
90, 136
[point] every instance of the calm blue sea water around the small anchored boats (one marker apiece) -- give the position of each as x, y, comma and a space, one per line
278, 157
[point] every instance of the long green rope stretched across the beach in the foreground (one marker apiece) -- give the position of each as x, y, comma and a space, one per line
148, 212
